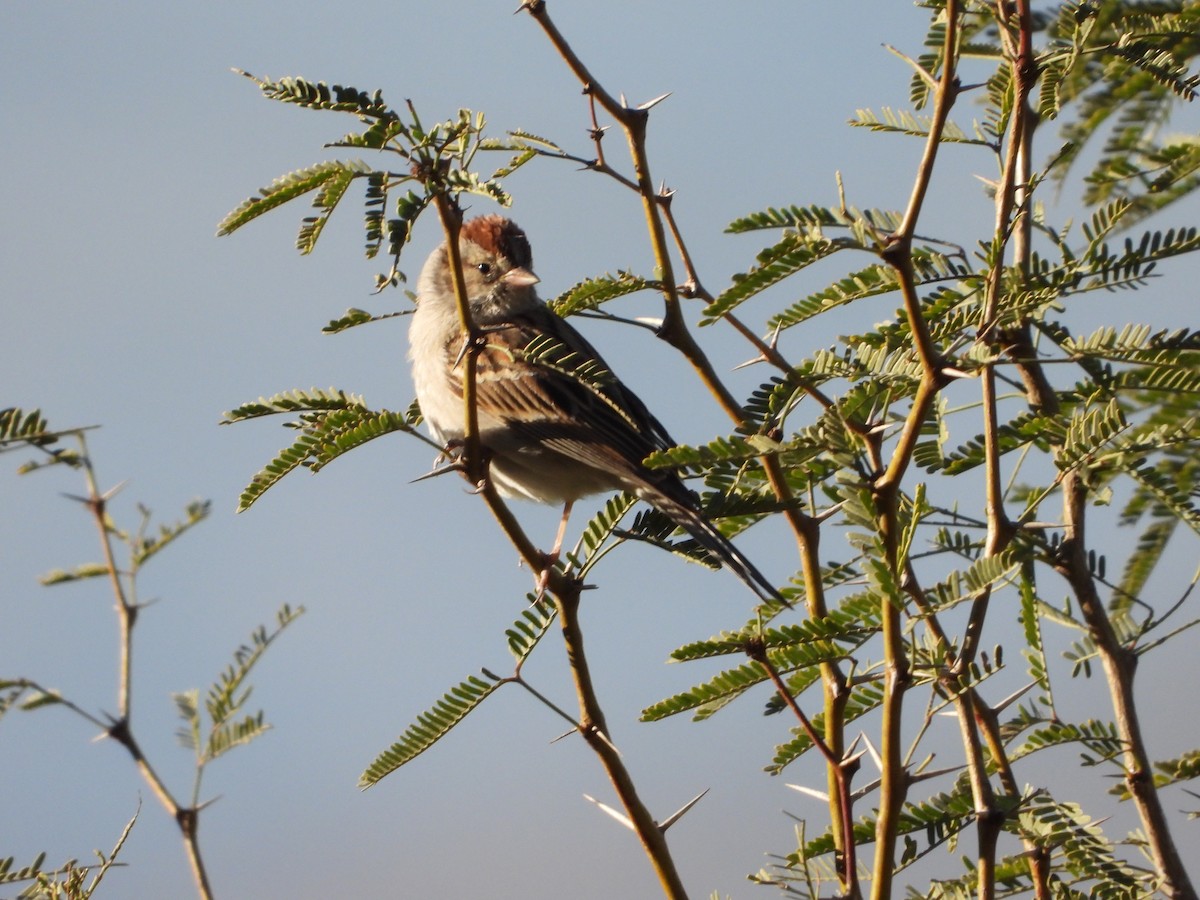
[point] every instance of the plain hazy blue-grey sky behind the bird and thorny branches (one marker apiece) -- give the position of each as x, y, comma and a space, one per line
125, 140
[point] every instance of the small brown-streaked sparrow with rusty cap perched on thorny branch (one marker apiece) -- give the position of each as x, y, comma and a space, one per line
554, 434
